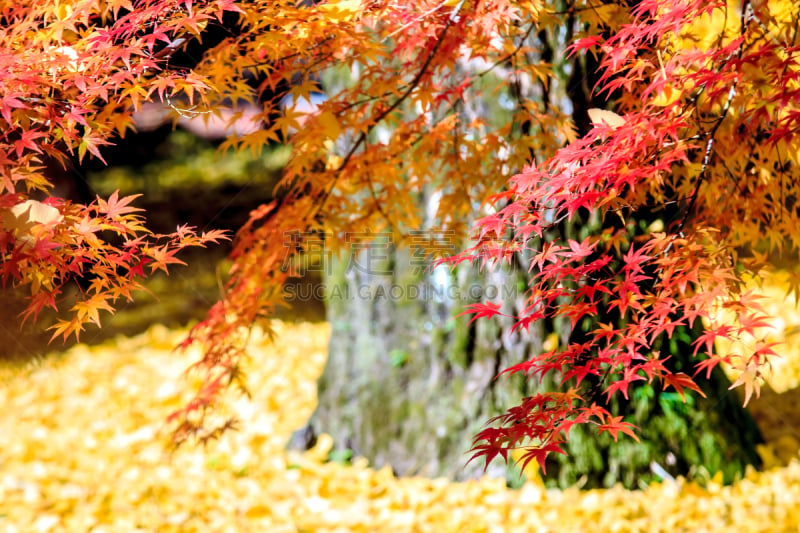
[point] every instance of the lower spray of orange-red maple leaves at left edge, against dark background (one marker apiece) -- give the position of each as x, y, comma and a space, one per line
51, 243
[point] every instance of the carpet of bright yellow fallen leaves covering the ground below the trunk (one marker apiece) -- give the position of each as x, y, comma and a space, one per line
82, 449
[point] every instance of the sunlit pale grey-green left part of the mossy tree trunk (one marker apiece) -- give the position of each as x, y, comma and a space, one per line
408, 382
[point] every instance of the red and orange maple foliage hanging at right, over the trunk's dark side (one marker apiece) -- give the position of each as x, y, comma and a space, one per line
710, 126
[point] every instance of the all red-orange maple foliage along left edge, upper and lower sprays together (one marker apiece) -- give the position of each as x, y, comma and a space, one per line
71, 75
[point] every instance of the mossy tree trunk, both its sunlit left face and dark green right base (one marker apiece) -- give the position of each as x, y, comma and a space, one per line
408, 384
